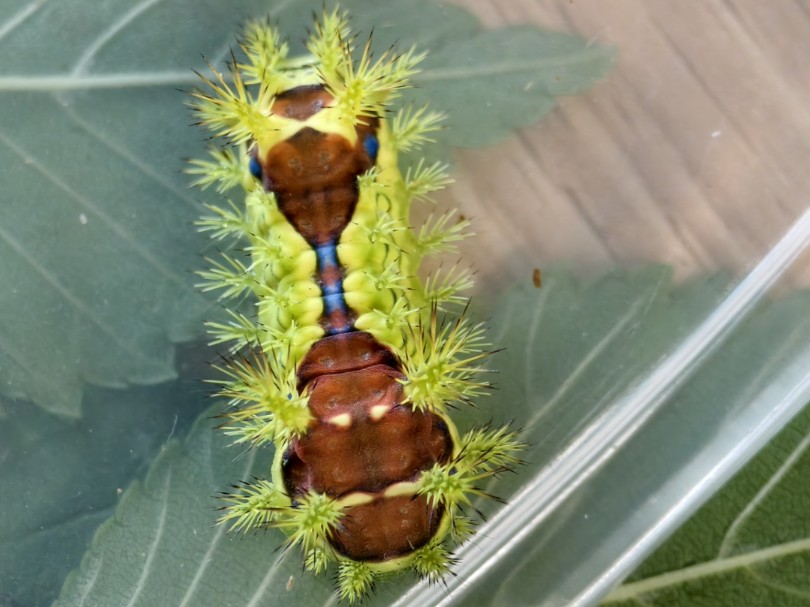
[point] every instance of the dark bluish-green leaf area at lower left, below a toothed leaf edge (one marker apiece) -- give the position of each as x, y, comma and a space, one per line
60, 478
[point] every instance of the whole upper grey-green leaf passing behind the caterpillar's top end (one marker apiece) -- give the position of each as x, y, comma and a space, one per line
96, 244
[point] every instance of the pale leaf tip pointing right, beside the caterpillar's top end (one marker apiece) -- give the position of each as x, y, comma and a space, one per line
493, 82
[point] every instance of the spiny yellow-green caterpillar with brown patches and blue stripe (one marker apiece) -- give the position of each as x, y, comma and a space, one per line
352, 362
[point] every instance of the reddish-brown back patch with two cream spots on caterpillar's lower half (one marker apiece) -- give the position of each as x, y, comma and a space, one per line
367, 452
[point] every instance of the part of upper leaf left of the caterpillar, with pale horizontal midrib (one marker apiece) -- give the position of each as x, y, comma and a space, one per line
96, 244
